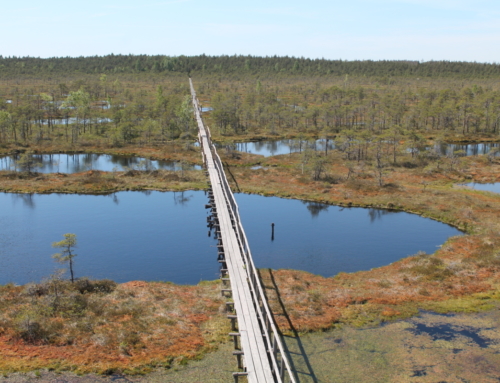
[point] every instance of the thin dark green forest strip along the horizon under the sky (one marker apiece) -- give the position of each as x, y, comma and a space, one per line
12, 66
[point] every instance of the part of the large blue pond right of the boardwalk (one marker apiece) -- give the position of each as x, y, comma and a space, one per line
326, 239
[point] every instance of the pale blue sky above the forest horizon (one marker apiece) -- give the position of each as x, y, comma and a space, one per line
457, 30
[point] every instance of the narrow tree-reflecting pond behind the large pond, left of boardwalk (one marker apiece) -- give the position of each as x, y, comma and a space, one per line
74, 163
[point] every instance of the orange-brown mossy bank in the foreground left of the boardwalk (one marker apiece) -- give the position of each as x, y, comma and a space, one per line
136, 327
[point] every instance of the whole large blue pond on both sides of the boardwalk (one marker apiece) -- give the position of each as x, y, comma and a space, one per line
163, 236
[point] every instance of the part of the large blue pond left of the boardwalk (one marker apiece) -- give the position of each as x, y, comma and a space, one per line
125, 236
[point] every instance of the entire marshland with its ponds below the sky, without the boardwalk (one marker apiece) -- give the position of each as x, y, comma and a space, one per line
377, 236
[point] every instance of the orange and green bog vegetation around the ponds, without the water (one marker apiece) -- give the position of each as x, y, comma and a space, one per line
385, 119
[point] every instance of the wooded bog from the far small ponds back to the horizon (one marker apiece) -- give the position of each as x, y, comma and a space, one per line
121, 100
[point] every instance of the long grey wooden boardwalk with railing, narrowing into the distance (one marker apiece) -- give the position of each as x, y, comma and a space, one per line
258, 347
